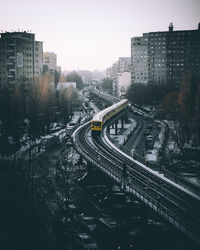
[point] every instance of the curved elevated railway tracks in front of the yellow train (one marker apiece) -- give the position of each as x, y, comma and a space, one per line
174, 204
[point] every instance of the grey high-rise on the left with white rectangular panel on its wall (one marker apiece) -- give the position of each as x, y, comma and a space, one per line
21, 57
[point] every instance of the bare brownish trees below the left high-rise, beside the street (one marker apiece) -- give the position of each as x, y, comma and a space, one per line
29, 108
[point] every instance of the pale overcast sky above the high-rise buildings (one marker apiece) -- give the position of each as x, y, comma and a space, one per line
93, 34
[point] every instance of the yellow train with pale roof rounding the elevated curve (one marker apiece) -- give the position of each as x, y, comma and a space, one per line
100, 118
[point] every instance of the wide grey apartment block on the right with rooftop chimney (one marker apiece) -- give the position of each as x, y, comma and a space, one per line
164, 57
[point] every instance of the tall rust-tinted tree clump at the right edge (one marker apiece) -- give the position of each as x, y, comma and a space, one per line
183, 106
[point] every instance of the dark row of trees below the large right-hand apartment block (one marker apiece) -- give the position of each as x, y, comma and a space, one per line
178, 103
